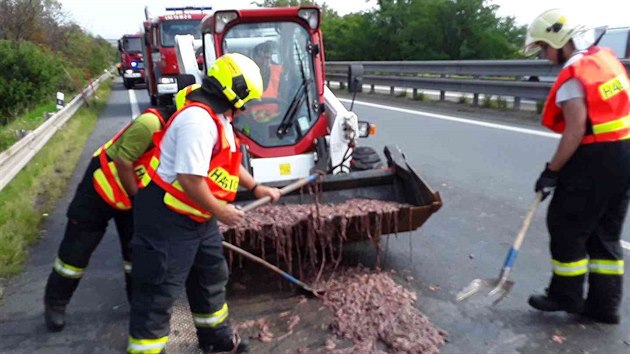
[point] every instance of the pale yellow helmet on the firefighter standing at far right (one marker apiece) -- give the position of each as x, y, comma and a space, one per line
554, 27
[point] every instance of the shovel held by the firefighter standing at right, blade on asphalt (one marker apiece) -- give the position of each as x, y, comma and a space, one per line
502, 286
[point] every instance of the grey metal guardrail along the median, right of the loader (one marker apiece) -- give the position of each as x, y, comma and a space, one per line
488, 77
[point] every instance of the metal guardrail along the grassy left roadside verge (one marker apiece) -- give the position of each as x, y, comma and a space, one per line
19, 154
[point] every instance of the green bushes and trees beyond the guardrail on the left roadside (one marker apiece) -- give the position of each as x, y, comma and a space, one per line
42, 52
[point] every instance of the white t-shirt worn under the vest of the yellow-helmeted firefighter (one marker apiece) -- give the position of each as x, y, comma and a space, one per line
188, 143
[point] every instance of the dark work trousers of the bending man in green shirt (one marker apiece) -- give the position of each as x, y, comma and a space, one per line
88, 215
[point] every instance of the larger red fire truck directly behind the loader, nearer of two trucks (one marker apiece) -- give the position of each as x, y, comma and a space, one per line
159, 49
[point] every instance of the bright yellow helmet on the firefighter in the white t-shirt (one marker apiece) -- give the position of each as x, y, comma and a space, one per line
237, 77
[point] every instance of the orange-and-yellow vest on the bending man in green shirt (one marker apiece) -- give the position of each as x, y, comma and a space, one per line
105, 179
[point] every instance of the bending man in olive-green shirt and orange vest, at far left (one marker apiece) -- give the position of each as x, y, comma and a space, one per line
110, 181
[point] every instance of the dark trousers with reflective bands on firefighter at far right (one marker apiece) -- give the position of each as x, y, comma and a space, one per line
585, 220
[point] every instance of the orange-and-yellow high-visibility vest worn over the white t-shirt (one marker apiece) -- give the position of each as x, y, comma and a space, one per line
223, 171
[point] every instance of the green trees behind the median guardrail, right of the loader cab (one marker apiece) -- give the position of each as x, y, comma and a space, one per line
418, 30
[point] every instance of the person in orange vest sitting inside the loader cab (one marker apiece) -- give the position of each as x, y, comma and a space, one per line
271, 74
